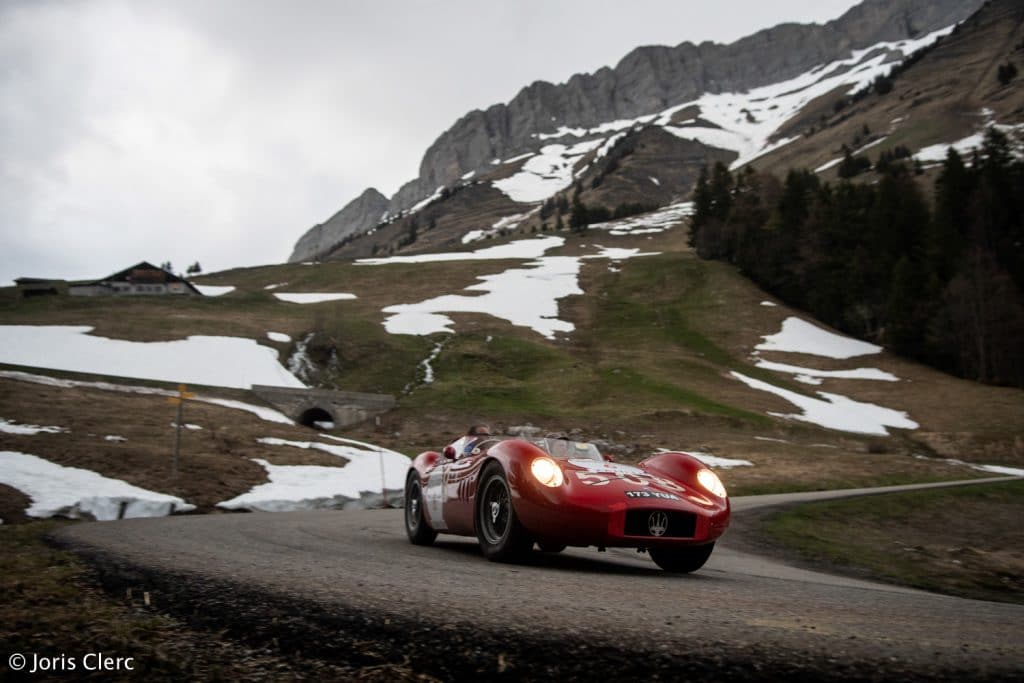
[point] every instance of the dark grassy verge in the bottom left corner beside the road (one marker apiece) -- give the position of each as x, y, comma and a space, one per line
54, 606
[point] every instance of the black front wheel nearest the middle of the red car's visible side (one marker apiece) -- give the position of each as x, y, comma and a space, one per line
502, 537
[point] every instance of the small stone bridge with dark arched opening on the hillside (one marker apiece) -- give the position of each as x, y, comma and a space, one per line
310, 406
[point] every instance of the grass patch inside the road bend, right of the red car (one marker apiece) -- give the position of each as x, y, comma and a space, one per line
965, 542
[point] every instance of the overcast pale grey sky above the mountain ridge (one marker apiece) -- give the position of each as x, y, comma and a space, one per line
220, 132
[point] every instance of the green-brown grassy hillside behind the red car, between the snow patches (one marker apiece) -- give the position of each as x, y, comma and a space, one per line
649, 365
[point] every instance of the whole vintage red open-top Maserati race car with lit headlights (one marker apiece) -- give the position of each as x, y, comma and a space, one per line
511, 493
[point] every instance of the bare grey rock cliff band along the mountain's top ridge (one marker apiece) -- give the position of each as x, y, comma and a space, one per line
648, 80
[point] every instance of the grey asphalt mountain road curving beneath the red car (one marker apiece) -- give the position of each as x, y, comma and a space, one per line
353, 576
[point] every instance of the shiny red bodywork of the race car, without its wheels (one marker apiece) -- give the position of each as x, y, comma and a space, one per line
600, 503
